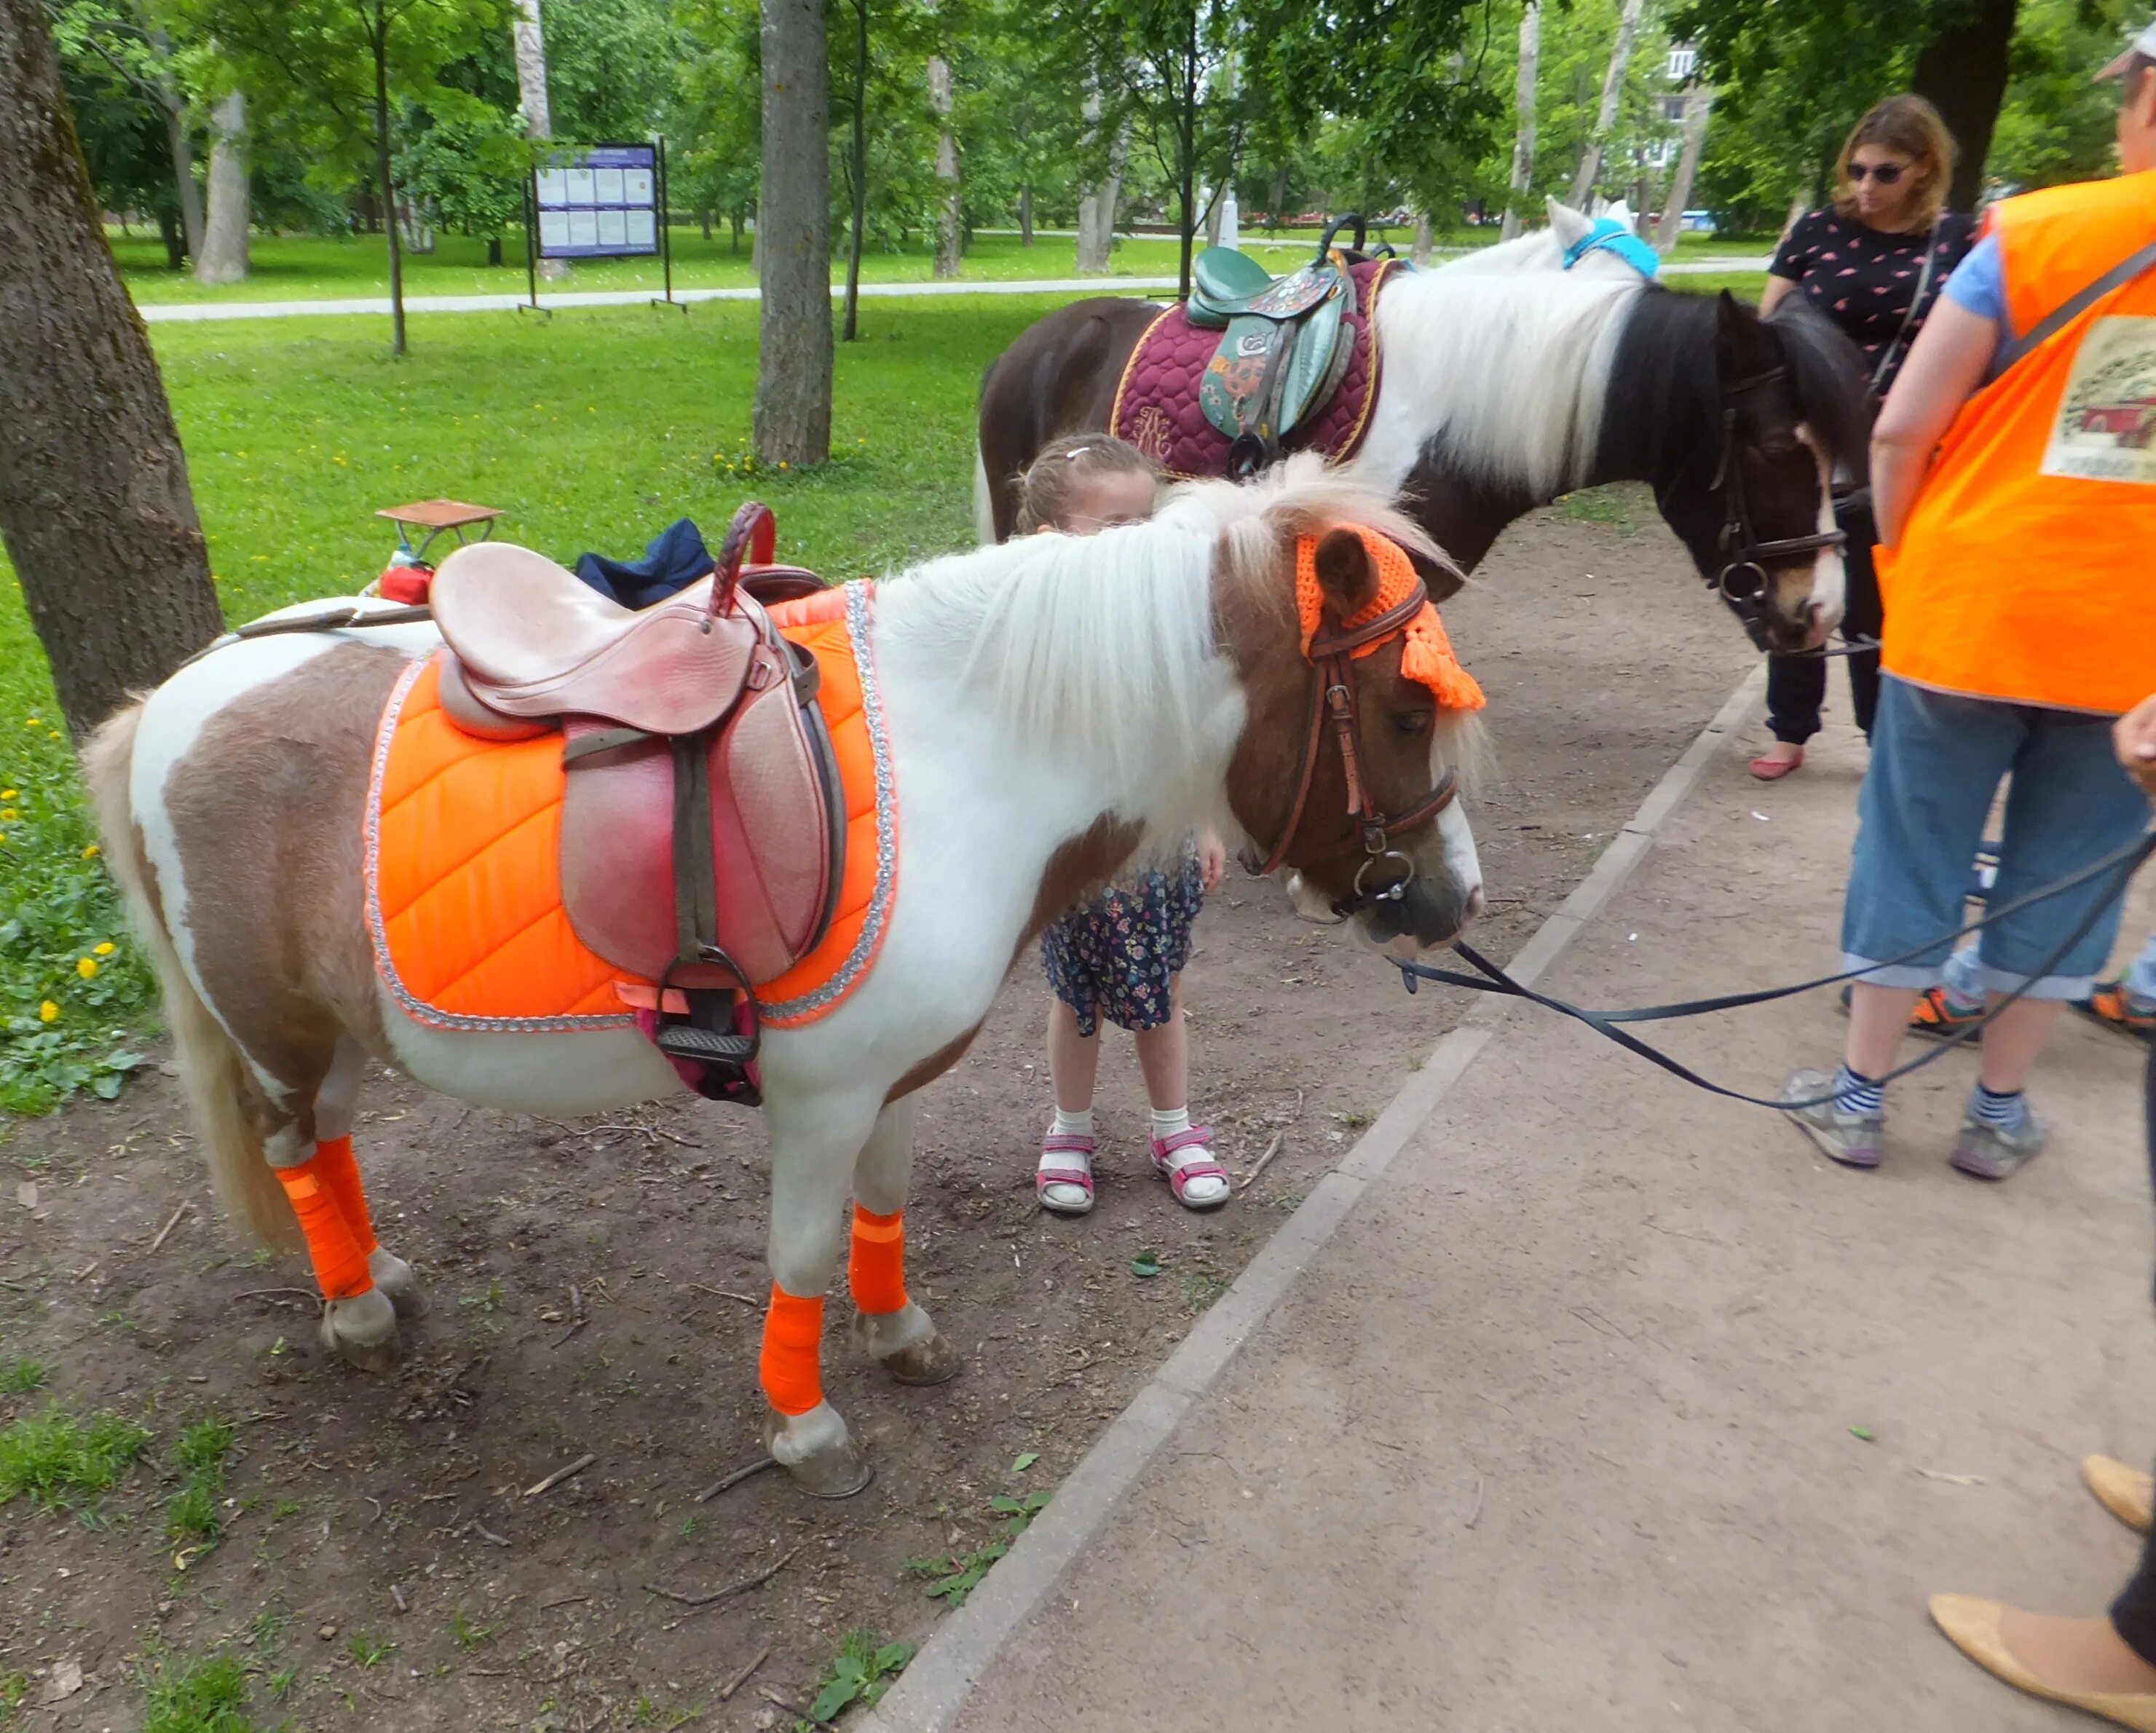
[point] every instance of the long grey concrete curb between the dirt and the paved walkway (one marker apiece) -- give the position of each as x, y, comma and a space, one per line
963, 1648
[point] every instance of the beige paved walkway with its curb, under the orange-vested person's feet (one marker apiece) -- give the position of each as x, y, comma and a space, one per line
1556, 1428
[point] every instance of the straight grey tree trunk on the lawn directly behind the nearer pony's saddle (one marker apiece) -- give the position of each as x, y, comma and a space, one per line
792, 417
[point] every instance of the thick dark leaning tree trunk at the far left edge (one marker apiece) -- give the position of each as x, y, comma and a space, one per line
94, 488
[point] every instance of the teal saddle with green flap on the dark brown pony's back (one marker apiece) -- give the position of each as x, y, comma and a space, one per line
1284, 344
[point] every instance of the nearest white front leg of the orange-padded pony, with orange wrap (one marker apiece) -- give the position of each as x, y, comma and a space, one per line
814, 1148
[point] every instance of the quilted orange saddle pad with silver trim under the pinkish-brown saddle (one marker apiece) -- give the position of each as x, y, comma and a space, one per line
465, 898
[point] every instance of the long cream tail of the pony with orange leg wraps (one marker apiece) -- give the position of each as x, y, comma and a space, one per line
210, 1064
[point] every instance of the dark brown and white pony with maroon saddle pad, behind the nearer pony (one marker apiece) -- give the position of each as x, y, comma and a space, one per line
1504, 391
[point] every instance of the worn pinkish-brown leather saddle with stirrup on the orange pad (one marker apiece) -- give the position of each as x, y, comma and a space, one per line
704, 824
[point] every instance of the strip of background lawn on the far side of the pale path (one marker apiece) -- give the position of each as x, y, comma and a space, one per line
301, 268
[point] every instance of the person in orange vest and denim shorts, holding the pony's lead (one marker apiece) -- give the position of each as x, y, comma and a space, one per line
2015, 486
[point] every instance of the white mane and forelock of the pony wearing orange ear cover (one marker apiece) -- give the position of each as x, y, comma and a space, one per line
1105, 646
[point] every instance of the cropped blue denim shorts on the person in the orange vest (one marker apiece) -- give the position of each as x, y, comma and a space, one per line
1937, 762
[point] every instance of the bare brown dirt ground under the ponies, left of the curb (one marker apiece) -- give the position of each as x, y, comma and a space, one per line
393, 1514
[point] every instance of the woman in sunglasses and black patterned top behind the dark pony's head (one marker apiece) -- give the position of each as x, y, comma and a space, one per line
1872, 262
